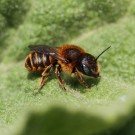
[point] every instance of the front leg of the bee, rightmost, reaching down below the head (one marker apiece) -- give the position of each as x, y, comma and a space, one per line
80, 78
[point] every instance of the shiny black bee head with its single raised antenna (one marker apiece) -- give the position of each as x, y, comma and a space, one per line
88, 64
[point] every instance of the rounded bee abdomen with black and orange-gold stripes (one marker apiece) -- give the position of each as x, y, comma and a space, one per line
37, 61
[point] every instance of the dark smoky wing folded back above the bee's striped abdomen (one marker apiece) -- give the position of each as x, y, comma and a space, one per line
48, 51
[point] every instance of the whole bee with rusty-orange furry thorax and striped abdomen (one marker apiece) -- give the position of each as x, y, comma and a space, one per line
70, 59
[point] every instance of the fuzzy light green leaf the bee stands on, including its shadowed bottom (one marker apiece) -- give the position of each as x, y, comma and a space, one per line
108, 105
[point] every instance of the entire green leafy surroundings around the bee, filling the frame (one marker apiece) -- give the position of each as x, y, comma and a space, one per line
107, 108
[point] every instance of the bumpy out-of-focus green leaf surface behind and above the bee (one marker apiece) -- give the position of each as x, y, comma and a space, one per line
52, 23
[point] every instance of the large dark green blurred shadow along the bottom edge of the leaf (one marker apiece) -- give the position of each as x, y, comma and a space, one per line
59, 121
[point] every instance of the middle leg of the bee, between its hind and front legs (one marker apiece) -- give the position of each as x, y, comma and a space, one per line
57, 72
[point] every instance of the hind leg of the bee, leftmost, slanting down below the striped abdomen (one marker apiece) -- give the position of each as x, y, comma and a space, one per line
45, 74
